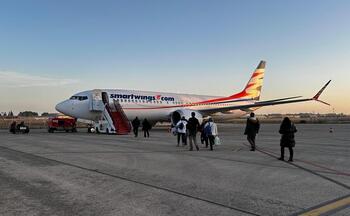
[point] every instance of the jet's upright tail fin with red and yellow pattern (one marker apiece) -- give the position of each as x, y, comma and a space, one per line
253, 88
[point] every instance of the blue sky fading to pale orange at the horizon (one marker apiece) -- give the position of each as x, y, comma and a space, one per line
50, 50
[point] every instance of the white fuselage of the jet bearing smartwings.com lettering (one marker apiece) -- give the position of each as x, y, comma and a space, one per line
155, 106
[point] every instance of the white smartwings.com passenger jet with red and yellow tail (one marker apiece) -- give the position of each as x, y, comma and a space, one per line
101, 105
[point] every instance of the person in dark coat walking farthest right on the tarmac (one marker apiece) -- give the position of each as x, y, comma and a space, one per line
287, 130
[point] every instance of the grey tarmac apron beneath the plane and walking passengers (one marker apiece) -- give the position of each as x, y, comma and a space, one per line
93, 174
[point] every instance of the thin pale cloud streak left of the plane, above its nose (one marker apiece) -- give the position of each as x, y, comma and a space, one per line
15, 79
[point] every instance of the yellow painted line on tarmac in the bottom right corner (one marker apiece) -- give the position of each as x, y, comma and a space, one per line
327, 208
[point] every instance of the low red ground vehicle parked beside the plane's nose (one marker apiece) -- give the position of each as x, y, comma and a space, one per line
62, 123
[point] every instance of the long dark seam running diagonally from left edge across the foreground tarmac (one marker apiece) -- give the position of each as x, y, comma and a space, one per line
137, 182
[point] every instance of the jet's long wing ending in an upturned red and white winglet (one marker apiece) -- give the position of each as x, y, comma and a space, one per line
267, 103
